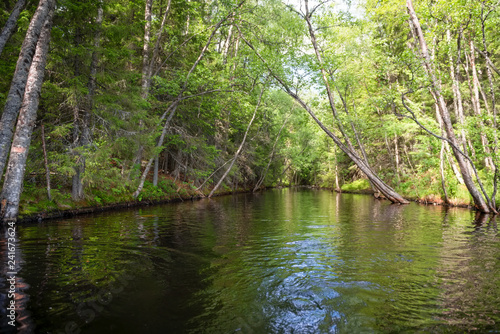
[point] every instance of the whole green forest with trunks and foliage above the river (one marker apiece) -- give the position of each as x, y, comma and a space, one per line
115, 101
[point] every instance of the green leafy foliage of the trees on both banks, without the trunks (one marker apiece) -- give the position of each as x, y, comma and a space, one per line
368, 58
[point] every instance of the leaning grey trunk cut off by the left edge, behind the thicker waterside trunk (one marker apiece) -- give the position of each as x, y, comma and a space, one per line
18, 85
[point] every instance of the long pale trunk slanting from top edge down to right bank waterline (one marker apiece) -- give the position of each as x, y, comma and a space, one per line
479, 201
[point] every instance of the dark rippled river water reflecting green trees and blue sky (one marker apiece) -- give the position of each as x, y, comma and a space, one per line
285, 261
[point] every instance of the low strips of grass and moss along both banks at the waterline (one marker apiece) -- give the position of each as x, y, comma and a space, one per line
35, 204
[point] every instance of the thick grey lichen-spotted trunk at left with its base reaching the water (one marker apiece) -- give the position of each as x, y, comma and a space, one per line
14, 176
